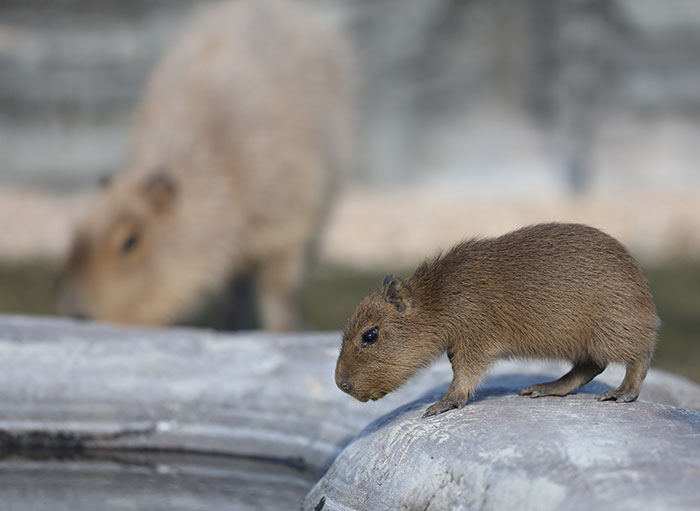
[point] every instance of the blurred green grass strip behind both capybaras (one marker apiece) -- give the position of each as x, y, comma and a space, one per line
333, 293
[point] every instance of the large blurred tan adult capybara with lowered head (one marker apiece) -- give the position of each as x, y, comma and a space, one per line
235, 147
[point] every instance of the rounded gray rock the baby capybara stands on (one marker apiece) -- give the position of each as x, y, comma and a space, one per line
504, 451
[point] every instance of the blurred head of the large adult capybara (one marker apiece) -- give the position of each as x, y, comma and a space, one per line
119, 267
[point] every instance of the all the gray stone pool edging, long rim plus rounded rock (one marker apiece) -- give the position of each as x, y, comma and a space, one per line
92, 386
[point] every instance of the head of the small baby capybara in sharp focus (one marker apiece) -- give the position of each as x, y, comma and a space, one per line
382, 343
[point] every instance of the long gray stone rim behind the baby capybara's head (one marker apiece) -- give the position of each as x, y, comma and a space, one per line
251, 394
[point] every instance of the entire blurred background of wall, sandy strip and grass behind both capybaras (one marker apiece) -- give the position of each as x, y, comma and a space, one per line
472, 117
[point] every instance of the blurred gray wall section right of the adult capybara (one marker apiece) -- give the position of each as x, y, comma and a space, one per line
539, 95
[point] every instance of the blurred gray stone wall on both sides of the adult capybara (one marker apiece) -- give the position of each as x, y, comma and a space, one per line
542, 96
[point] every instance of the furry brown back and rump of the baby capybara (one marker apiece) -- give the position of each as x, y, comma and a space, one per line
567, 290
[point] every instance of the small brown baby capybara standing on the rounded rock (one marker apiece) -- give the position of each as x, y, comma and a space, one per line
562, 291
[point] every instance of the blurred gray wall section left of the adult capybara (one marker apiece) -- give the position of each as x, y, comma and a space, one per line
71, 72
